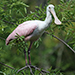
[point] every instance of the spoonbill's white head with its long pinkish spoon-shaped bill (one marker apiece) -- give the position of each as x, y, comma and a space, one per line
50, 8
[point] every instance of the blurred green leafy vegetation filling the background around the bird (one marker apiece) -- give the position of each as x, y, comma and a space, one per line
54, 56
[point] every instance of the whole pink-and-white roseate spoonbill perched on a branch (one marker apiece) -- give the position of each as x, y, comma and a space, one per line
33, 29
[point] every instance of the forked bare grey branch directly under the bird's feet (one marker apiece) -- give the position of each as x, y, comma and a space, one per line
31, 67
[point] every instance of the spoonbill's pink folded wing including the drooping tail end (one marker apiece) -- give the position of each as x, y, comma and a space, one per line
23, 29
